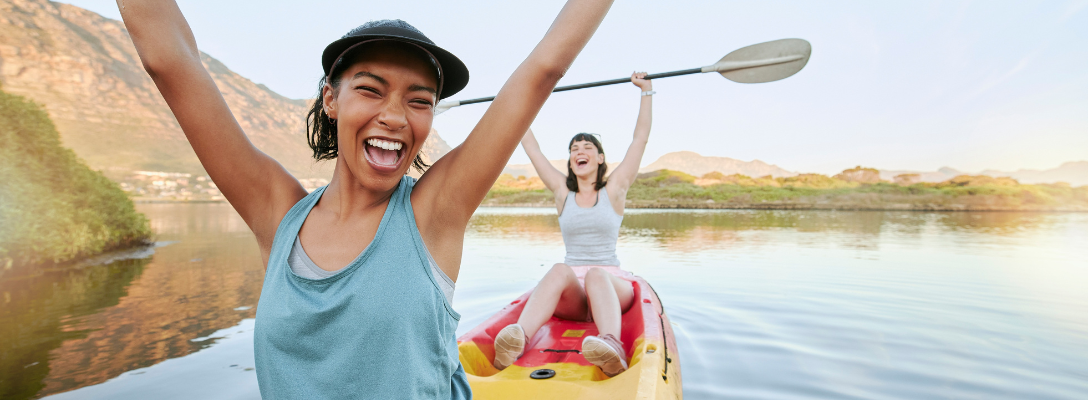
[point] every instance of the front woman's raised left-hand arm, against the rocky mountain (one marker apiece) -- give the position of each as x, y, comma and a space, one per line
257, 186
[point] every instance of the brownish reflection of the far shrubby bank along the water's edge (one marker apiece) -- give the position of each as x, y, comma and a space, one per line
699, 230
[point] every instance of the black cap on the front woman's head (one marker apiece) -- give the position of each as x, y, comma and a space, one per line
453, 74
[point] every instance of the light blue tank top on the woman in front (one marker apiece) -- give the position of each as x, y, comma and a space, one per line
381, 329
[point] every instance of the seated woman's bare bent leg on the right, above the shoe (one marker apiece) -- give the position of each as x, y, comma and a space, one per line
609, 297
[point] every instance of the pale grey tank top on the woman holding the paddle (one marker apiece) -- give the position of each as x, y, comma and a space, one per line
590, 234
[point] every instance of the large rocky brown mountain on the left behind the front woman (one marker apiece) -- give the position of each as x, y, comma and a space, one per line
83, 68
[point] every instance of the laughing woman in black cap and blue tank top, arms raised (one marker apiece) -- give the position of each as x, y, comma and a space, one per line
364, 311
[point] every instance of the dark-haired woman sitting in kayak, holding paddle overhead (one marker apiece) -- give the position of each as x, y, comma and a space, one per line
591, 210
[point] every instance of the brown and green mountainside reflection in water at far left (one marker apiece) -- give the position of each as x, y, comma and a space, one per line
88, 326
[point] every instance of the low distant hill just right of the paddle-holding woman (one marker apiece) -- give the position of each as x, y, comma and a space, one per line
694, 164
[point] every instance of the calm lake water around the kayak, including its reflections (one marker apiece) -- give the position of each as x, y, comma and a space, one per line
766, 305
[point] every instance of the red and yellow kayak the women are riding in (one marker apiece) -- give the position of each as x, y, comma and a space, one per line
553, 367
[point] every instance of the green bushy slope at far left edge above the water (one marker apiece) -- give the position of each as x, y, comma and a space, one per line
53, 207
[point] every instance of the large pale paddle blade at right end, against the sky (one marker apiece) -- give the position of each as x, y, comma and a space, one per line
765, 62
